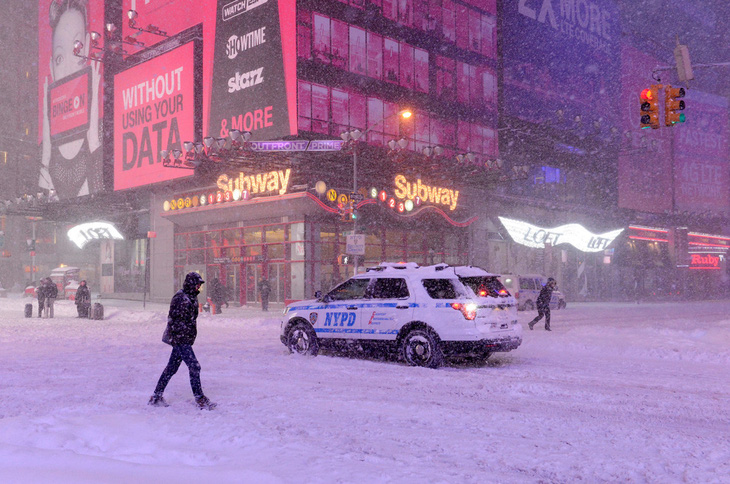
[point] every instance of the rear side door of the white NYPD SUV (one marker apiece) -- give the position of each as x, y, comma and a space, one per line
388, 307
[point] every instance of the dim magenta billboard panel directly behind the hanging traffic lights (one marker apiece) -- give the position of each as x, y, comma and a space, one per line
644, 163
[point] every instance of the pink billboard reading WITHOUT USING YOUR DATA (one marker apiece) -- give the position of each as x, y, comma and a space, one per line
155, 106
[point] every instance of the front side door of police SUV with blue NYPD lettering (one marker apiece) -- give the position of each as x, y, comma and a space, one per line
341, 312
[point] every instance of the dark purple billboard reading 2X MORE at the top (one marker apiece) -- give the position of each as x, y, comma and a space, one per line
561, 56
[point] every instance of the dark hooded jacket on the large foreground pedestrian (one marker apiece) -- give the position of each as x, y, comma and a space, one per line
182, 319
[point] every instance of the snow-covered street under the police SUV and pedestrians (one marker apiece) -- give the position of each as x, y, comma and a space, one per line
616, 393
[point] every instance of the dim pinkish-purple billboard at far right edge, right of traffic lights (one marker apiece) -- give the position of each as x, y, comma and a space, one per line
701, 172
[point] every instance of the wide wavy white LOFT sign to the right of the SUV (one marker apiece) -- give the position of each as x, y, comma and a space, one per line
573, 234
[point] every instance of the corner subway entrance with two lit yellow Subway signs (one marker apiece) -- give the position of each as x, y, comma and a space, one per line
253, 227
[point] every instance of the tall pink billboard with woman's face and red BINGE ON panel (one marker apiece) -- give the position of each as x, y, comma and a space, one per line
70, 93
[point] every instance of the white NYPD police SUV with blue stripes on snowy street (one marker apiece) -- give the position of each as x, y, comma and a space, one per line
425, 313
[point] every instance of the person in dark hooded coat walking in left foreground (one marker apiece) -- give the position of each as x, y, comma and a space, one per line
180, 333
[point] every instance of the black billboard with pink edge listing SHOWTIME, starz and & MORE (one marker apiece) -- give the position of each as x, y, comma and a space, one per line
254, 73
